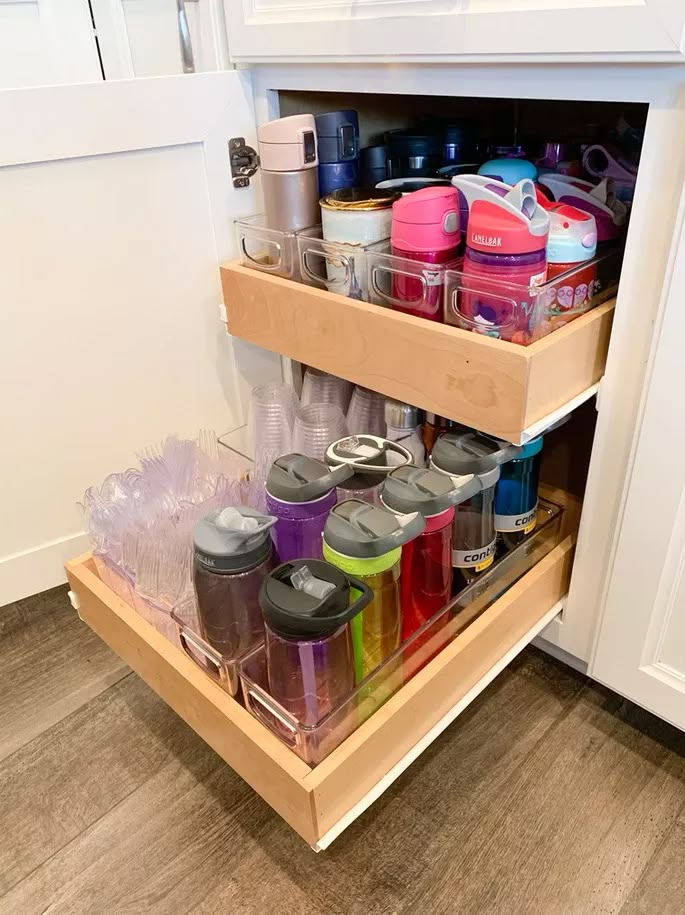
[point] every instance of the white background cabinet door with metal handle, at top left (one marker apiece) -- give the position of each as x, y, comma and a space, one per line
160, 37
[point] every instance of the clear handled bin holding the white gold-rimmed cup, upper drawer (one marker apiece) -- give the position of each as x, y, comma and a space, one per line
336, 266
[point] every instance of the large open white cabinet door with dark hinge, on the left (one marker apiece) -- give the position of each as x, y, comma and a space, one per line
117, 207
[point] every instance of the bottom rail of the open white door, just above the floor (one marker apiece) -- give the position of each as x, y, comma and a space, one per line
38, 569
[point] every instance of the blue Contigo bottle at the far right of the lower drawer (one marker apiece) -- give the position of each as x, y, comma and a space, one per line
516, 495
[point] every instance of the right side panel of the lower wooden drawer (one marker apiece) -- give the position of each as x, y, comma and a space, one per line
342, 780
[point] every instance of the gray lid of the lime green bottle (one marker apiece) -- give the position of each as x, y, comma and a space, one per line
362, 530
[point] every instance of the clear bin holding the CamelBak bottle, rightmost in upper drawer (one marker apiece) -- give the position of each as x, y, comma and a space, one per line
524, 314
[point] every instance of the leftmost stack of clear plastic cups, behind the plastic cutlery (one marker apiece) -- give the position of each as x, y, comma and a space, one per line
272, 415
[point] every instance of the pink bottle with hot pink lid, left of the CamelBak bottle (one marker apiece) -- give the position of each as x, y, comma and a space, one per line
425, 227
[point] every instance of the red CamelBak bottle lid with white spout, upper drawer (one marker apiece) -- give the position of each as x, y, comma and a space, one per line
511, 224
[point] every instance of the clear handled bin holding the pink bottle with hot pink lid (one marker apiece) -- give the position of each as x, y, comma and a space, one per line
410, 286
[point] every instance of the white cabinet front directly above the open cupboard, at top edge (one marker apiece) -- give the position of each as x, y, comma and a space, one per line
440, 30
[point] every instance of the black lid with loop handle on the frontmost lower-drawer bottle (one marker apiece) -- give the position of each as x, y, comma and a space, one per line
308, 599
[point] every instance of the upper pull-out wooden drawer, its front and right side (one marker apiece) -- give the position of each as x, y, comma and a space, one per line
498, 387
